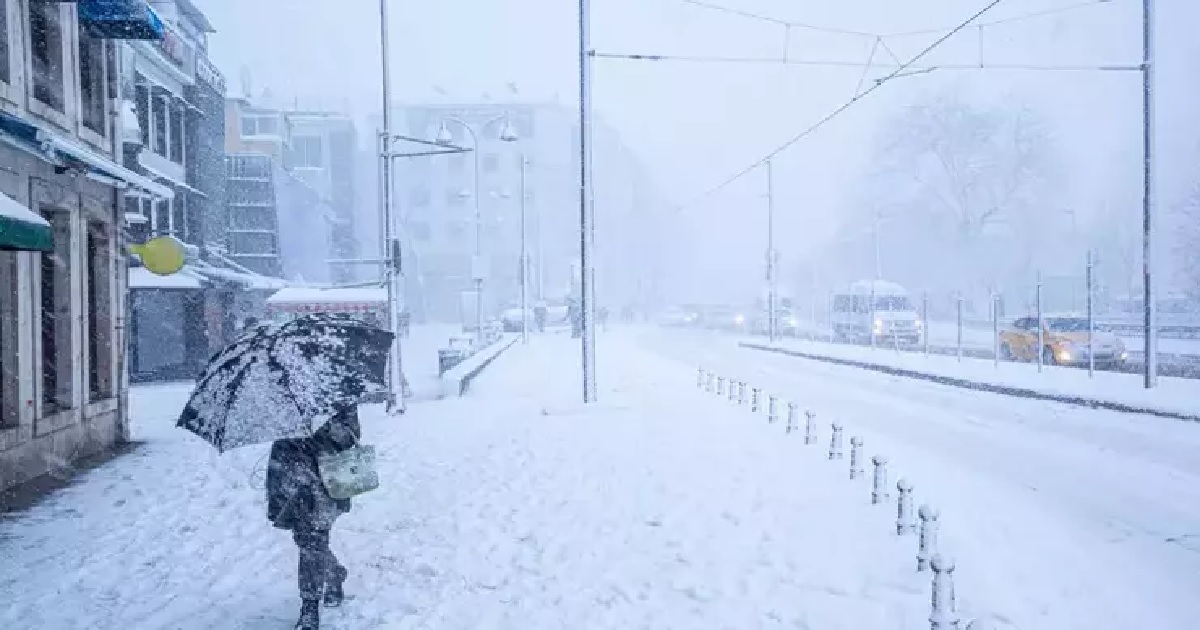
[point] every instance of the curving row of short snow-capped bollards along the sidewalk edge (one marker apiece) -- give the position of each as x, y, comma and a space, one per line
944, 607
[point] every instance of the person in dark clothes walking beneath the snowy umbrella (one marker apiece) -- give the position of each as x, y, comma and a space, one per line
297, 500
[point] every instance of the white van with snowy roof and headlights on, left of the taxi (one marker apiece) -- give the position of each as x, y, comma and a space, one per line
877, 309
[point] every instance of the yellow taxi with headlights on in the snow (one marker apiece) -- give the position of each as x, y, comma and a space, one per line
1064, 343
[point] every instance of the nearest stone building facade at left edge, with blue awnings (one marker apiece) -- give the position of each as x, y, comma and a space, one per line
63, 309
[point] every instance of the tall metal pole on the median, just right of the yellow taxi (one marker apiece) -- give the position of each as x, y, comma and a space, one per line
1148, 196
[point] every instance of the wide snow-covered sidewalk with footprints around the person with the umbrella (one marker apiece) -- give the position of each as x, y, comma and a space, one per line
514, 507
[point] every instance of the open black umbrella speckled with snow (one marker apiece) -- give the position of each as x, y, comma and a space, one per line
278, 380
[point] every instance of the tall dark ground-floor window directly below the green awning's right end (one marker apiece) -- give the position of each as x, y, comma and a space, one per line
58, 392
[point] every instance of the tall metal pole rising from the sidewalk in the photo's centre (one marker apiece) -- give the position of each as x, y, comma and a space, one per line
586, 201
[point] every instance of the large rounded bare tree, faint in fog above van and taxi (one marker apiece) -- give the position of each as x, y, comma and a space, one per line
973, 171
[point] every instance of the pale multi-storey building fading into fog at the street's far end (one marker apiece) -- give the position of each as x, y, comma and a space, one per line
436, 203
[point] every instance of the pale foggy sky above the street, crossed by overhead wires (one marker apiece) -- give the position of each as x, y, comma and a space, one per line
695, 124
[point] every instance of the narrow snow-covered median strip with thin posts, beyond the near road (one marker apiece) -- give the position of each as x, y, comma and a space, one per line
1172, 397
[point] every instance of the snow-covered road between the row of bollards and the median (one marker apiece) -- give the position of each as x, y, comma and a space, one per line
1097, 514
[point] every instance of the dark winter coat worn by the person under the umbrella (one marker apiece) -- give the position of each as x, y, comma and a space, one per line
296, 496
